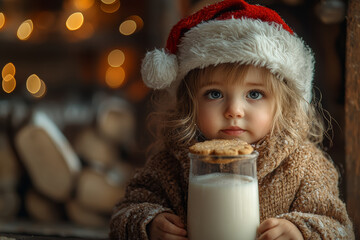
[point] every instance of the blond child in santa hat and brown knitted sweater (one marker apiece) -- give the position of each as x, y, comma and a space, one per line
235, 70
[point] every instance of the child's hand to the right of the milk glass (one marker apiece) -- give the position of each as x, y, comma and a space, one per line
283, 229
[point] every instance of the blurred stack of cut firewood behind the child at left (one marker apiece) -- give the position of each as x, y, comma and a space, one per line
79, 180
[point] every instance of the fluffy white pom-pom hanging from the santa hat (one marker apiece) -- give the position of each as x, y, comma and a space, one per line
159, 69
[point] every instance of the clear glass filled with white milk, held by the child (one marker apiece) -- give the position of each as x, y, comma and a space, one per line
223, 197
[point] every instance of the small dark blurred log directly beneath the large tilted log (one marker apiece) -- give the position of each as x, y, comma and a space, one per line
42, 208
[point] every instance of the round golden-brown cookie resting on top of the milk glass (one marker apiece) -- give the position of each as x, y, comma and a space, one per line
222, 147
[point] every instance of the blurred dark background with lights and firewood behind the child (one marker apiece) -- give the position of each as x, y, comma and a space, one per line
73, 106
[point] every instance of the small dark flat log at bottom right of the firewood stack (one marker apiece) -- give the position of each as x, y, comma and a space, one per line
83, 216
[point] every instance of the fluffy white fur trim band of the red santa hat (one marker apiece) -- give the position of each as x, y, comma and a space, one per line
248, 41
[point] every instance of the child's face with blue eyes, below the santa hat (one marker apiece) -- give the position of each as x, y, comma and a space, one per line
244, 109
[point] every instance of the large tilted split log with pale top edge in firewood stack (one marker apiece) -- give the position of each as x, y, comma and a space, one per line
48, 157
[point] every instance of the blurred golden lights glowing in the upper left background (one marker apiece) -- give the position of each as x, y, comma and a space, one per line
76, 23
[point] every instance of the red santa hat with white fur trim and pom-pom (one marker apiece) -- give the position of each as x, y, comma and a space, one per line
231, 31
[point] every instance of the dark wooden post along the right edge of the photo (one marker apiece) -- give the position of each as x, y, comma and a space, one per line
352, 114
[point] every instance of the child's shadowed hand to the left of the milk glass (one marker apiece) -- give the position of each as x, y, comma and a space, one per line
166, 226
